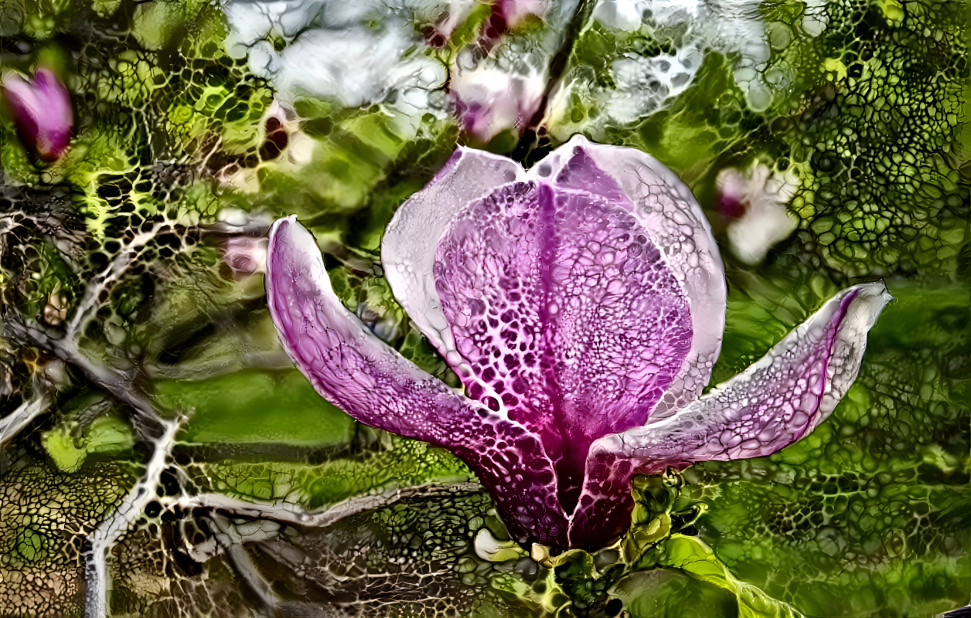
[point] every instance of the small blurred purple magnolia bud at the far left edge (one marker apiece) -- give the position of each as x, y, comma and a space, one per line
41, 109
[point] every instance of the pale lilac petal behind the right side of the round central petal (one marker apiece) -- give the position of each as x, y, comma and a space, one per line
662, 204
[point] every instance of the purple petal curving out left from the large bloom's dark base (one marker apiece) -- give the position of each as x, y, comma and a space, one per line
370, 381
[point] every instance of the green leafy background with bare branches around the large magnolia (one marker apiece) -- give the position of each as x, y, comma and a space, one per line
136, 357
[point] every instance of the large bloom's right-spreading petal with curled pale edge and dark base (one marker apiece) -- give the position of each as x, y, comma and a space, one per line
774, 403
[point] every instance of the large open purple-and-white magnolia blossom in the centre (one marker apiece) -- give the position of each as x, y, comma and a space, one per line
582, 304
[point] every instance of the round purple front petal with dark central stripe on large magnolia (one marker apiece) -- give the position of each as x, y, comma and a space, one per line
568, 316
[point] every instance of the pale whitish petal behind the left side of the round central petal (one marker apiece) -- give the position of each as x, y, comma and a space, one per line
408, 247
